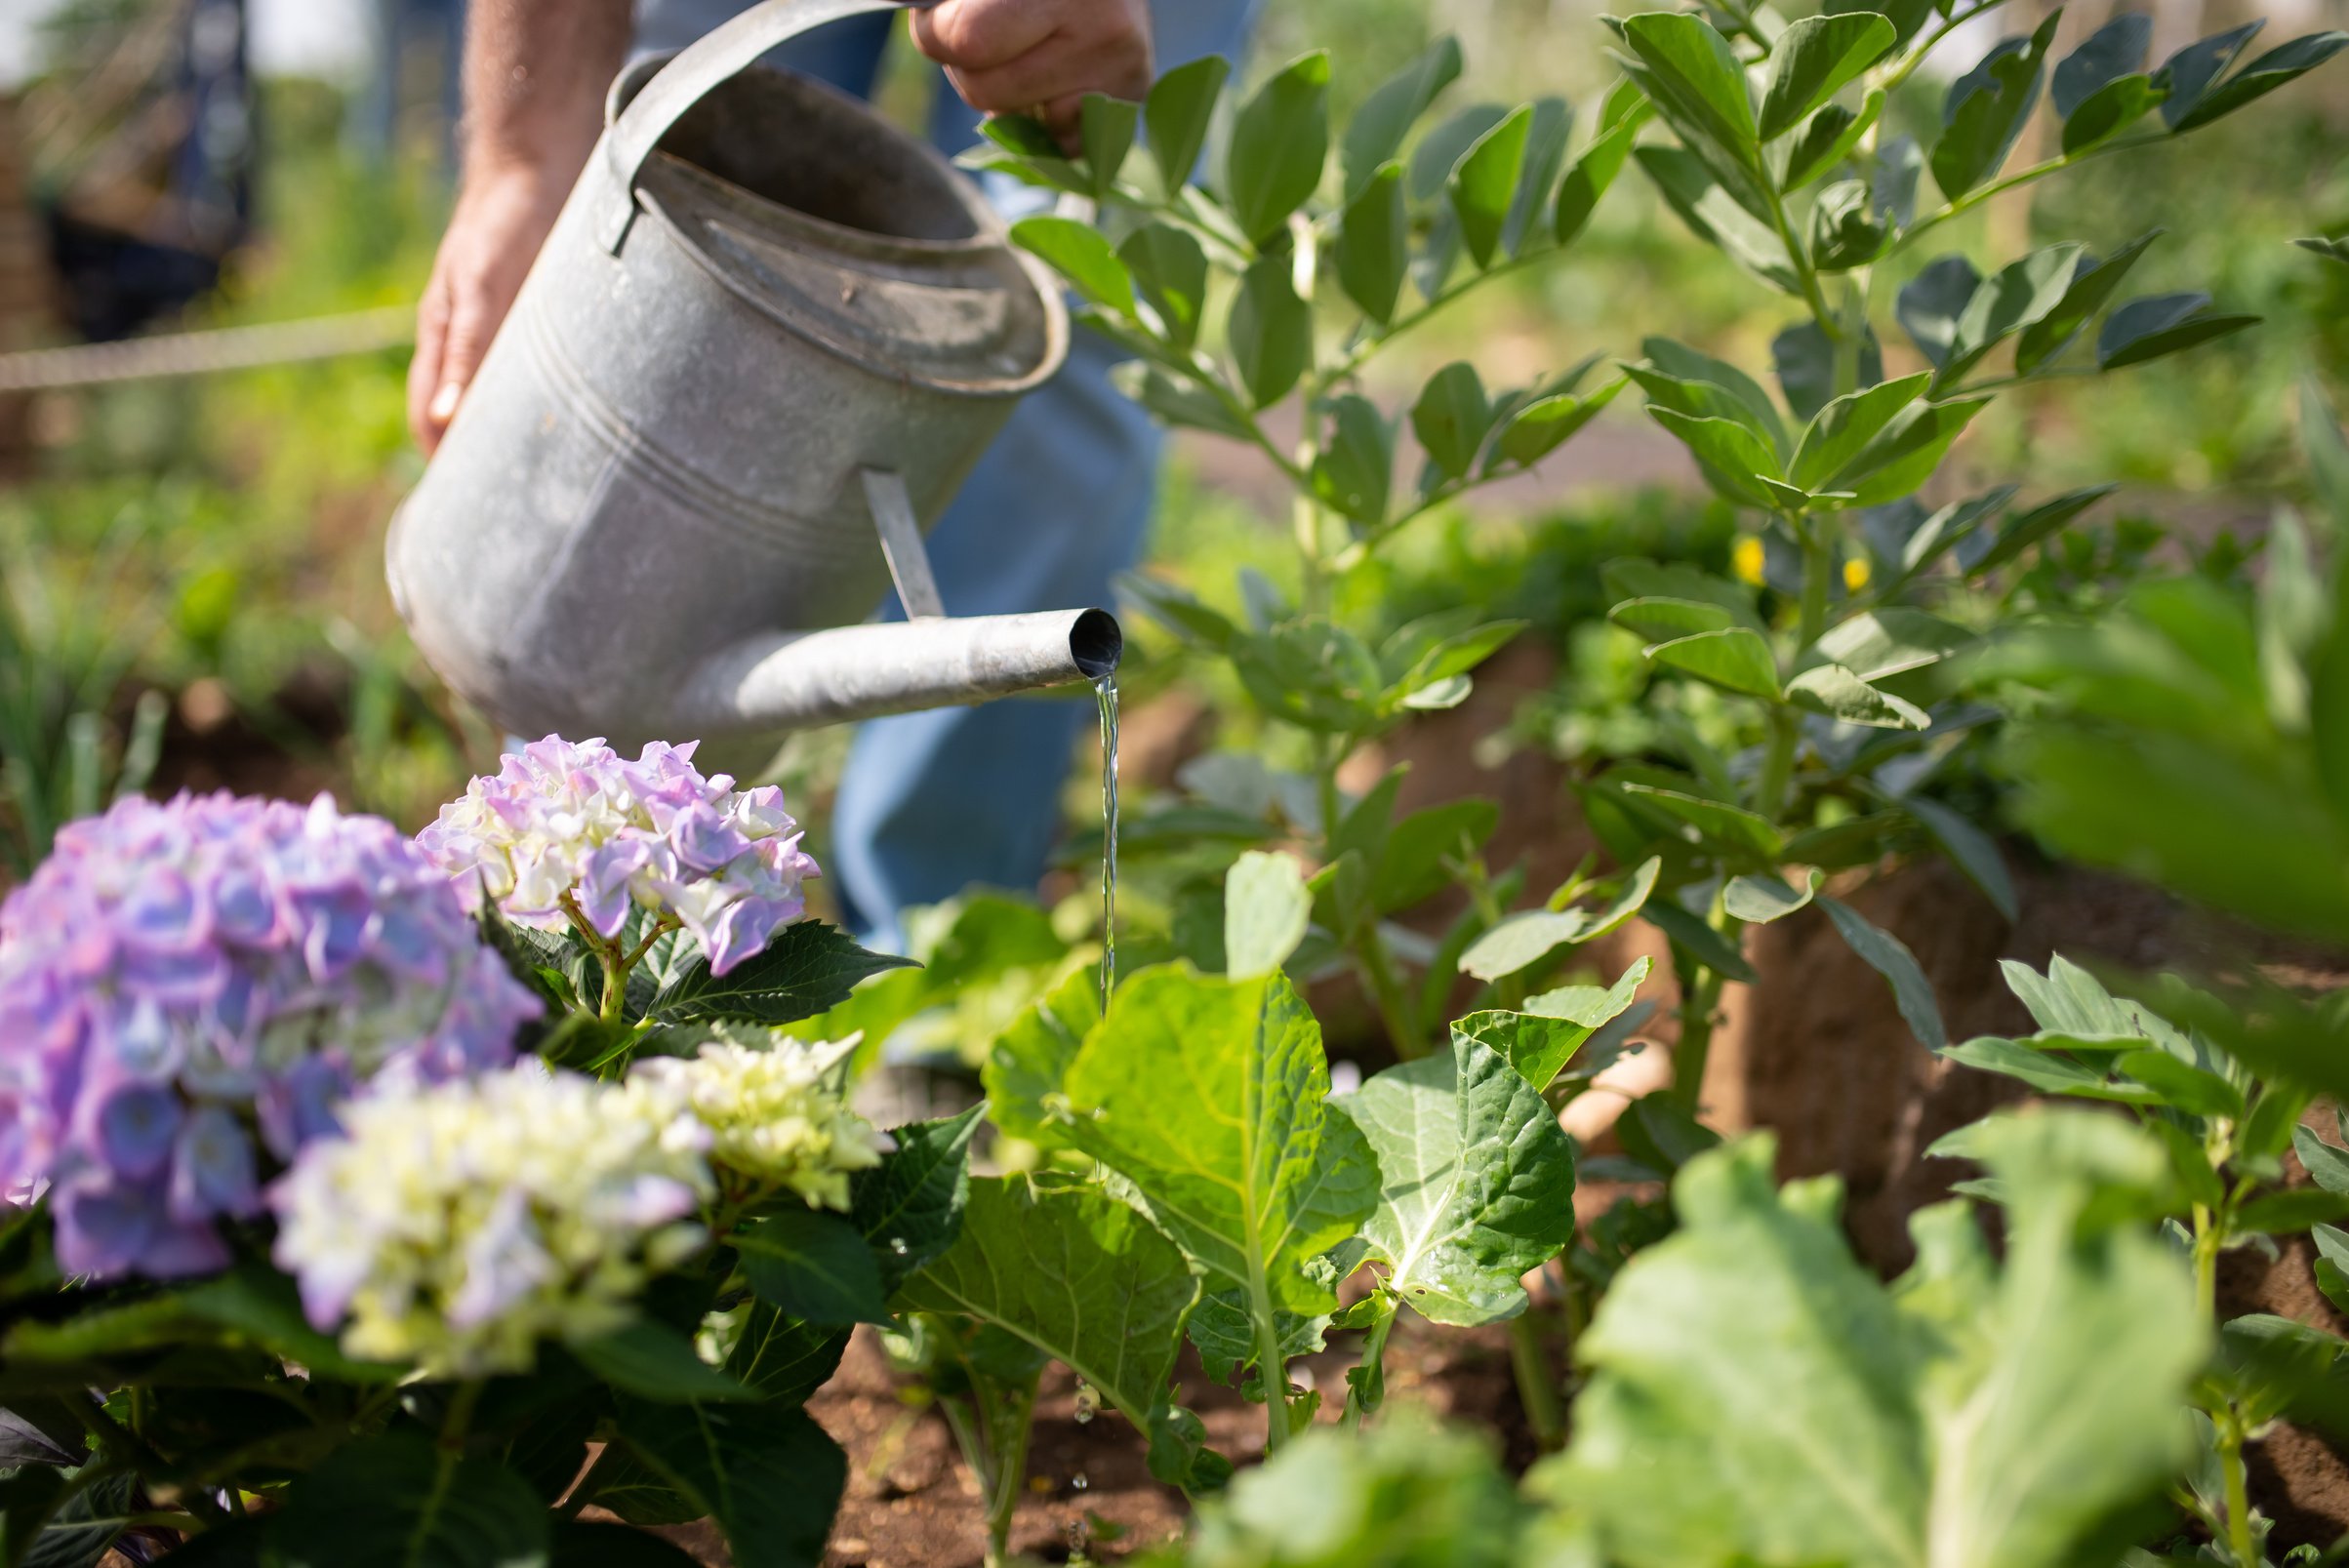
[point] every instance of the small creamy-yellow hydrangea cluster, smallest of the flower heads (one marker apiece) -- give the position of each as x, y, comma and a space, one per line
779, 1114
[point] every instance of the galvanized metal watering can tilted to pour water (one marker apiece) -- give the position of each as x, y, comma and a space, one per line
755, 360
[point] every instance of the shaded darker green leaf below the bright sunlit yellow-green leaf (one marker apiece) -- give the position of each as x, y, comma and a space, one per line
1082, 1278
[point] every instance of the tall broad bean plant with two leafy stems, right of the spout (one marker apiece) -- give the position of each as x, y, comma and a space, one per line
1777, 144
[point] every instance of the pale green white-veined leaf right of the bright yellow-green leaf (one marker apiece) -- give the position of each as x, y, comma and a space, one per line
1476, 1182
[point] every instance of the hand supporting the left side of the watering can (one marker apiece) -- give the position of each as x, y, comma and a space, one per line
502, 219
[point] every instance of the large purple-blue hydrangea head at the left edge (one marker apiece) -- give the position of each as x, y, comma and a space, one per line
182, 978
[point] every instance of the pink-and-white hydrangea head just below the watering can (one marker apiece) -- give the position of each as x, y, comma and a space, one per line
574, 823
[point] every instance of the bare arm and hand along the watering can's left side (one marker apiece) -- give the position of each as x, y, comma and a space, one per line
534, 102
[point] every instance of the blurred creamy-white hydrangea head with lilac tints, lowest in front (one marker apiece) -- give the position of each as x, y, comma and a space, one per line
459, 1224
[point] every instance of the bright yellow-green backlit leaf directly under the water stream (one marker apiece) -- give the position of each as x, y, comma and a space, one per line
1211, 1097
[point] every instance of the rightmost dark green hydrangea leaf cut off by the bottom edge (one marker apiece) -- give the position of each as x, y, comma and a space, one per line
769, 1478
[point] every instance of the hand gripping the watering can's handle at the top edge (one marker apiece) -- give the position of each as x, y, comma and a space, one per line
1039, 58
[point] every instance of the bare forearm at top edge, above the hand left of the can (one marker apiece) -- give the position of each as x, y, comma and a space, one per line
534, 83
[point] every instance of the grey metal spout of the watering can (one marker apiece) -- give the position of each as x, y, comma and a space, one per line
800, 682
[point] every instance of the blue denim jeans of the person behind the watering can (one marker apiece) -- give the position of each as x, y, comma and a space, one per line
934, 804
